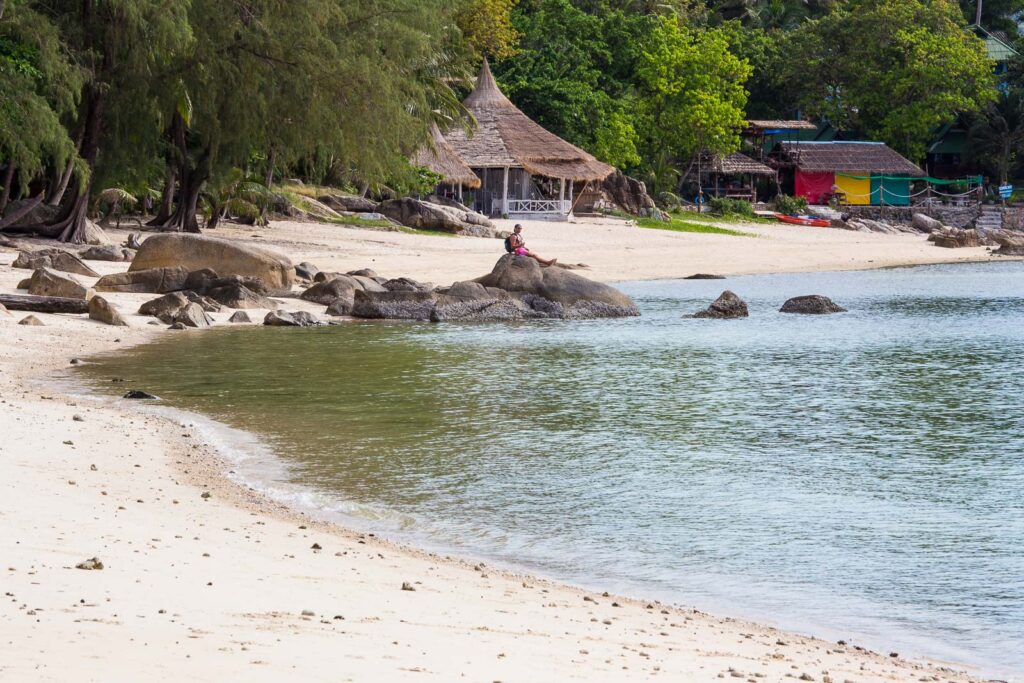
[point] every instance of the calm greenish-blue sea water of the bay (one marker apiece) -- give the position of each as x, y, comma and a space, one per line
859, 476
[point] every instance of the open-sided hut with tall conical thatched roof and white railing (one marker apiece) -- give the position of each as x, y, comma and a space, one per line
525, 170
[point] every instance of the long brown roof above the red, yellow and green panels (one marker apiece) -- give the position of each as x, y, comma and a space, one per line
847, 158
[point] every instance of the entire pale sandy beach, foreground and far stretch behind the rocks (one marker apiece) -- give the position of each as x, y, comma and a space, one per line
205, 581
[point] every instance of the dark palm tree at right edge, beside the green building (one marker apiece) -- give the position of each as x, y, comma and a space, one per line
996, 139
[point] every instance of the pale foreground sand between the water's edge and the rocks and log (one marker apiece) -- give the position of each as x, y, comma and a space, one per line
511, 626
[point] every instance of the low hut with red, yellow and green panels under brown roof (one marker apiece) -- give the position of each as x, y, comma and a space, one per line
860, 174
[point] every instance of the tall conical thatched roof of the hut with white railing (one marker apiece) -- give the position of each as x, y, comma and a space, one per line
506, 137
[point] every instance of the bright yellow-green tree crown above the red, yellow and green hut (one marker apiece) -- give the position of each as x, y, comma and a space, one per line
895, 71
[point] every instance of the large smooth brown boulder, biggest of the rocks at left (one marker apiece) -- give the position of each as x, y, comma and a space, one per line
194, 252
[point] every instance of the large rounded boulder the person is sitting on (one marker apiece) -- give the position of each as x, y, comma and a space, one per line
522, 274
